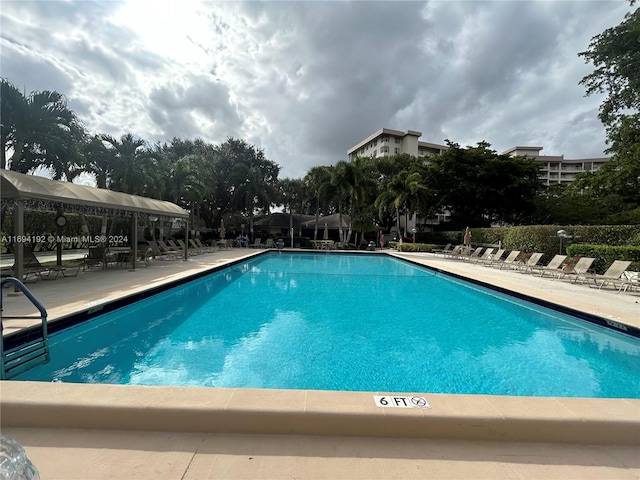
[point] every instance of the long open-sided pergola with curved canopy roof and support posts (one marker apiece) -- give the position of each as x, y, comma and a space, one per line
20, 192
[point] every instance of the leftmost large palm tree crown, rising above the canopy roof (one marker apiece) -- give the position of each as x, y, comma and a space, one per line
41, 130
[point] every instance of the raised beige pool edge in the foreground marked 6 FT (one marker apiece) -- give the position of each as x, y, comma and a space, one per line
315, 412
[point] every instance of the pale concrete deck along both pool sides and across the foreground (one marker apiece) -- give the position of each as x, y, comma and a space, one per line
109, 431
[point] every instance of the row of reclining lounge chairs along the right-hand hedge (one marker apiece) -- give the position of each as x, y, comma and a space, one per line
580, 271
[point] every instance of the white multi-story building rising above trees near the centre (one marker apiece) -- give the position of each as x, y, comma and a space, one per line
387, 142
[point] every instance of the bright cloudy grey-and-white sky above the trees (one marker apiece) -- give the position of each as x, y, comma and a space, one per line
307, 80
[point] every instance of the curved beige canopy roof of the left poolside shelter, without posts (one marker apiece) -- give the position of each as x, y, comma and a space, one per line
18, 186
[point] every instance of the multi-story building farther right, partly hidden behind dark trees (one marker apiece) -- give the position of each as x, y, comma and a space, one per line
555, 169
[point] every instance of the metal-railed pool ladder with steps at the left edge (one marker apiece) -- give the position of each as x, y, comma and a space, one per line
35, 351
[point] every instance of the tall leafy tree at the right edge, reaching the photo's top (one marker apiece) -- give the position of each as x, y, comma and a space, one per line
615, 54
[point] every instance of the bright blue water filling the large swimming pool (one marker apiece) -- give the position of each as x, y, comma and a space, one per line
345, 322
